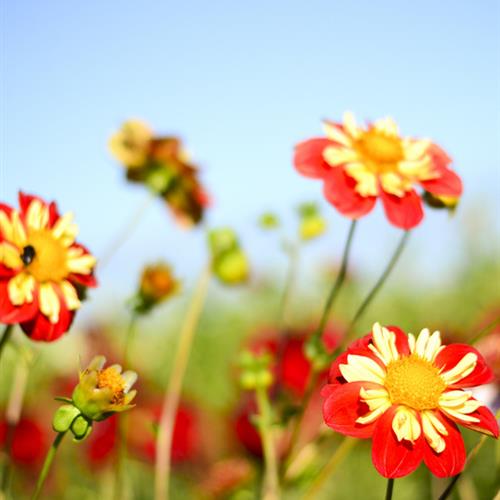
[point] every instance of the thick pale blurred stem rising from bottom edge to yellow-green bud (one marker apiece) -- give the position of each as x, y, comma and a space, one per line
172, 395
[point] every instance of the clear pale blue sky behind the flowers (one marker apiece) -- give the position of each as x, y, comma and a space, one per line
241, 83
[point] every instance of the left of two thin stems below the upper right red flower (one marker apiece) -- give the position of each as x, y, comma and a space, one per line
313, 376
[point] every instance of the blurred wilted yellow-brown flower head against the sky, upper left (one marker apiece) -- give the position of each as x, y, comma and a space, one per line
162, 164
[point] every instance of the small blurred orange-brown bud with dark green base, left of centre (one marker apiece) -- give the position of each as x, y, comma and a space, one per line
156, 285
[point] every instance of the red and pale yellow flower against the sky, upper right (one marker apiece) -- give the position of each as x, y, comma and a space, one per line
358, 165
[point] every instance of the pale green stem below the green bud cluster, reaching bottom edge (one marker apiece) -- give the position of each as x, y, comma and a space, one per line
270, 486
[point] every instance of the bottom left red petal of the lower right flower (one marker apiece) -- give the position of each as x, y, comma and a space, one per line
393, 458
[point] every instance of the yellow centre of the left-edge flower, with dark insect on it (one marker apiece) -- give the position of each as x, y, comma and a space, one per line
45, 257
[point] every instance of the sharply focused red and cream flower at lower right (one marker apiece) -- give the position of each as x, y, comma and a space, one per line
407, 394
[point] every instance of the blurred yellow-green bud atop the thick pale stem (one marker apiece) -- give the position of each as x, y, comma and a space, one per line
229, 262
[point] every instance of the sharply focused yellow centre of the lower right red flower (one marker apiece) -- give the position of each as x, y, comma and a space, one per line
414, 382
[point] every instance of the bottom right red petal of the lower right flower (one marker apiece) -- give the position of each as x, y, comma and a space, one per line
451, 460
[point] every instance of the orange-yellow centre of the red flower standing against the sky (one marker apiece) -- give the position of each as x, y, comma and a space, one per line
380, 151
